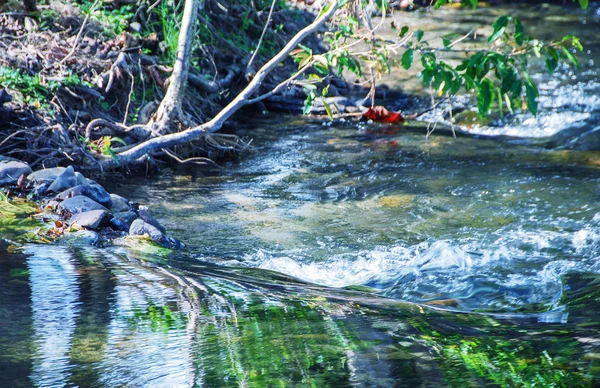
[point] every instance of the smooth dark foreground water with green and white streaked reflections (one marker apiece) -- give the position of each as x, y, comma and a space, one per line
84, 317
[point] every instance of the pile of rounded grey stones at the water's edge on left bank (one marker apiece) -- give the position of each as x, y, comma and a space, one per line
83, 202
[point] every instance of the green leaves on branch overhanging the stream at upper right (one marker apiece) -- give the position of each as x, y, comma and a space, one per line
497, 74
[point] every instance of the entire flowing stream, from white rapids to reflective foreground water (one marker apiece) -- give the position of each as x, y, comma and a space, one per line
341, 255
